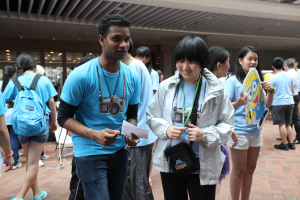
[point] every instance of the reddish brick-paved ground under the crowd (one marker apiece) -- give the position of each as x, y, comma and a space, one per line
277, 176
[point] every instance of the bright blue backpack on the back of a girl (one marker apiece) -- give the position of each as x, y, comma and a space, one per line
29, 113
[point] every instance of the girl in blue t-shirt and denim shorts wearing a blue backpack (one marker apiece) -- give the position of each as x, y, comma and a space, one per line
33, 145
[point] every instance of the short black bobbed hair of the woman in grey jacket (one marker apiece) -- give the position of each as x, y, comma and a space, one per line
192, 48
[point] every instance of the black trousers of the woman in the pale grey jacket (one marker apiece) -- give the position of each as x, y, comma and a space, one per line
177, 188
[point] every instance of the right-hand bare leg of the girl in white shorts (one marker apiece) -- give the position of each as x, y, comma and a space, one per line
252, 157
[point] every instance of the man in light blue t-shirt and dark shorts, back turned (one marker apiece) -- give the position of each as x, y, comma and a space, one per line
283, 104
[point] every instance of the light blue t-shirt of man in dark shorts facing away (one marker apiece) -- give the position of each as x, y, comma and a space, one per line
283, 84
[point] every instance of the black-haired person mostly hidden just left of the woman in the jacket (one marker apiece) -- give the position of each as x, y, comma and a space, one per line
143, 54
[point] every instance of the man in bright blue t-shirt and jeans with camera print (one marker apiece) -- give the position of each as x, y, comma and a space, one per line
102, 93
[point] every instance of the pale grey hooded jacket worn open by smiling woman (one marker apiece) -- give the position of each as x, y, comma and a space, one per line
216, 120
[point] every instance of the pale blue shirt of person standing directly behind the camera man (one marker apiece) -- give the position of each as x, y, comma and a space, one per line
145, 99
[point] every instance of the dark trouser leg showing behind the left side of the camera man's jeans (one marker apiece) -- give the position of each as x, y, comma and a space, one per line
75, 185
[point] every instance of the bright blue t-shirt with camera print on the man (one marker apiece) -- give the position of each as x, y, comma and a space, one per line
82, 89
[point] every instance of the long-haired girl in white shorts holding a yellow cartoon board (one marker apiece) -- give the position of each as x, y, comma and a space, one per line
249, 137
